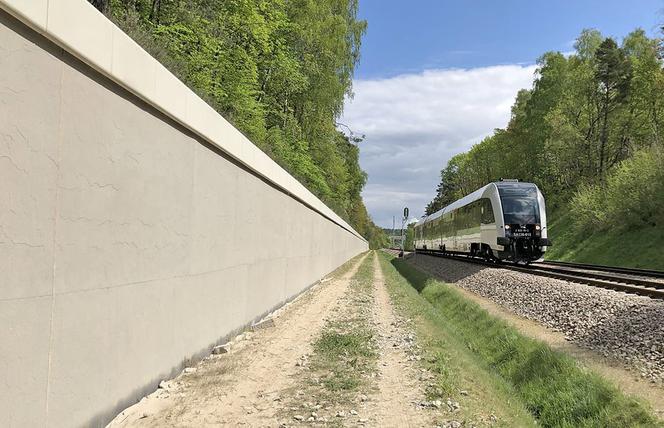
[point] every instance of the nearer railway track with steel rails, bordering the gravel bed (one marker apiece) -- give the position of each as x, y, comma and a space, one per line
638, 286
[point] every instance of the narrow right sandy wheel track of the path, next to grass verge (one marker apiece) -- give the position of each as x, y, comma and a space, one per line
398, 388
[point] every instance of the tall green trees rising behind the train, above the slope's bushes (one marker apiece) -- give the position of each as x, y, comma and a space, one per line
586, 114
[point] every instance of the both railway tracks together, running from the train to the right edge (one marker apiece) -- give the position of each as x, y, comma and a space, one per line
643, 282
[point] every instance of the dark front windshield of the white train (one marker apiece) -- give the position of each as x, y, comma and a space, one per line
519, 204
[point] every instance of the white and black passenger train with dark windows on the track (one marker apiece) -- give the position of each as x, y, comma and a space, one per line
502, 221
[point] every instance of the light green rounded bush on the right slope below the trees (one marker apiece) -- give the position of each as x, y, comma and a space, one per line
632, 196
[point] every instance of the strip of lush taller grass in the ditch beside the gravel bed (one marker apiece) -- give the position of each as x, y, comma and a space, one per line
556, 390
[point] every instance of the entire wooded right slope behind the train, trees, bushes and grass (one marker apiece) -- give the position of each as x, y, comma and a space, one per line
590, 134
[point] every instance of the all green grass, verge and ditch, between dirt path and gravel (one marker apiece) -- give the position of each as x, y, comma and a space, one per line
553, 388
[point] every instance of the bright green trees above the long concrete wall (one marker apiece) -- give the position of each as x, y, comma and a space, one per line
278, 70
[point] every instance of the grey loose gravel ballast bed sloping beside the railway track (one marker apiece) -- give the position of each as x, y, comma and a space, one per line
625, 327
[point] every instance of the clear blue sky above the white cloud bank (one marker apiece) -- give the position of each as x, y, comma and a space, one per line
406, 37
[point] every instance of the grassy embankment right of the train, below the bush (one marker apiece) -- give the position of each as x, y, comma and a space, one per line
641, 248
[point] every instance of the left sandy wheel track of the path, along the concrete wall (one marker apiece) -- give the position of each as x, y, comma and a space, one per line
244, 387
